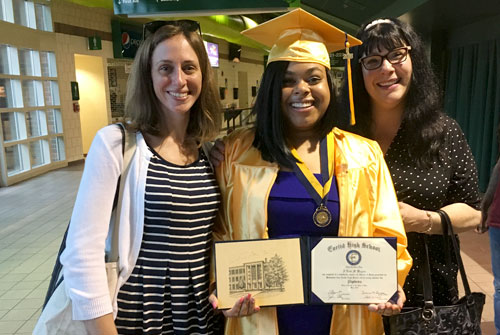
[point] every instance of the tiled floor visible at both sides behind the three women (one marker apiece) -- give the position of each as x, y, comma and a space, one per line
34, 215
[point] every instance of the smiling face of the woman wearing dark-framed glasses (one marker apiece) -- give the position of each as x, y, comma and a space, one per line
388, 84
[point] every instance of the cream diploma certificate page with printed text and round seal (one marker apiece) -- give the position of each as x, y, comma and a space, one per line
354, 270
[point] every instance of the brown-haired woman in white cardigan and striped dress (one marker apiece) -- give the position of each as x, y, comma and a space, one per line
169, 199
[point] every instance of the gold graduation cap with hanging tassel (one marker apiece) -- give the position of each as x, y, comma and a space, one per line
299, 36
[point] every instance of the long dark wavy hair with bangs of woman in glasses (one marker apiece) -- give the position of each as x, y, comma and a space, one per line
423, 101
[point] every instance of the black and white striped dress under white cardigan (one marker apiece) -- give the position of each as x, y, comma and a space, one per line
167, 292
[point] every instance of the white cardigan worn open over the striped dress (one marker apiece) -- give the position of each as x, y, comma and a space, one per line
83, 258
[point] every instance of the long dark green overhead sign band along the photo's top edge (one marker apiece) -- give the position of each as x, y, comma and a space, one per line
201, 8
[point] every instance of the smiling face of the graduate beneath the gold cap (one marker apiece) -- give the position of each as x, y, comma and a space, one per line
305, 96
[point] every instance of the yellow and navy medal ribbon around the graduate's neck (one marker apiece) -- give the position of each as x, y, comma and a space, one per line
318, 192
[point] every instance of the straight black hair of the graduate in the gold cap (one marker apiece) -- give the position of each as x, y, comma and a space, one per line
270, 137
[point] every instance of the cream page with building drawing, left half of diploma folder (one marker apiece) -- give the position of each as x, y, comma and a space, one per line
270, 270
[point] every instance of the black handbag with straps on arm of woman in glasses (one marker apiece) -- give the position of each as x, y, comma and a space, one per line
461, 318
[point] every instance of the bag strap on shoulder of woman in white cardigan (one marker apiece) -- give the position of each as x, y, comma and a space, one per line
129, 146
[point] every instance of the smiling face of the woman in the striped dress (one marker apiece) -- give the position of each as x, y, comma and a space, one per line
176, 75
